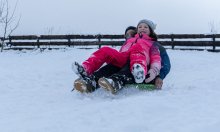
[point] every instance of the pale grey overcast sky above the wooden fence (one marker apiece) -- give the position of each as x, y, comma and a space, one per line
113, 16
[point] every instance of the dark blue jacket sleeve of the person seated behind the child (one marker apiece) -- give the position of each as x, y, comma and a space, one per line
165, 62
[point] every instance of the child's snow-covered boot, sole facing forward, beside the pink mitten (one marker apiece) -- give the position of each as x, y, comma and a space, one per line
138, 73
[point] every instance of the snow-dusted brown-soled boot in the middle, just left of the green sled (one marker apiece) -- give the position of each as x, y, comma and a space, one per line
109, 84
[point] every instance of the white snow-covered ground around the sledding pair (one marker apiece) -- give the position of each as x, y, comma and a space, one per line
35, 96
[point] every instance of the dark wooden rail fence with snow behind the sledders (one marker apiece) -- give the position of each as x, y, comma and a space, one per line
113, 40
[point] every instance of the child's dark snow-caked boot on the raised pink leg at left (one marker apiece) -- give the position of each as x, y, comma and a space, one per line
79, 69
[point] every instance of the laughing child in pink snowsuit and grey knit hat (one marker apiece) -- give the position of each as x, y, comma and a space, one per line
136, 49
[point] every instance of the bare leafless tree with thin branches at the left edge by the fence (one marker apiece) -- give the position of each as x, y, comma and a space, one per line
6, 20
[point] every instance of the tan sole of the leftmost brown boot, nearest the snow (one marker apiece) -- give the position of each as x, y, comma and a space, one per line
81, 86
